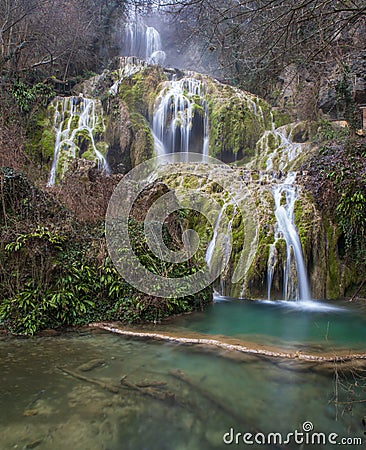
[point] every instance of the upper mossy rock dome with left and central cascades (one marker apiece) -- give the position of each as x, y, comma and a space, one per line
124, 99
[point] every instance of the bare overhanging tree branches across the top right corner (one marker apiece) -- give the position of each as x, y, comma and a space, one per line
255, 40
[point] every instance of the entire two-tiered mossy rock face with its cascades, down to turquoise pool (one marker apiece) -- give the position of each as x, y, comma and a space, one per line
186, 111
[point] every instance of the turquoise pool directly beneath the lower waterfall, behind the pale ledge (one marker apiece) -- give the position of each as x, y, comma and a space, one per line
306, 325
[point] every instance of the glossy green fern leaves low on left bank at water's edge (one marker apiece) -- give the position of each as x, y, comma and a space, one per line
59, 283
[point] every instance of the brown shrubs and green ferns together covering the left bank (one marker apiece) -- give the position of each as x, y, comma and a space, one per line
55, 270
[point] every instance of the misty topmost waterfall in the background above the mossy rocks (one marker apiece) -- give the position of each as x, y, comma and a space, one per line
143, 41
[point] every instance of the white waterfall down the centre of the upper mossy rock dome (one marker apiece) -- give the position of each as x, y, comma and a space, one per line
179, 105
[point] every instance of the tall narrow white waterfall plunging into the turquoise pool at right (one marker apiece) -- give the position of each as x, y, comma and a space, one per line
294, 285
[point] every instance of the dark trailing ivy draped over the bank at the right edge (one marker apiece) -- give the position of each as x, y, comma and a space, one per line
337, 180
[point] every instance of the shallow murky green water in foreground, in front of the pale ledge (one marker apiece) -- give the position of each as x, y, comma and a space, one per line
42, 407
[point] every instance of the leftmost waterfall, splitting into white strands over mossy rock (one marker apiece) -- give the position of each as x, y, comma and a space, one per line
75, 119
